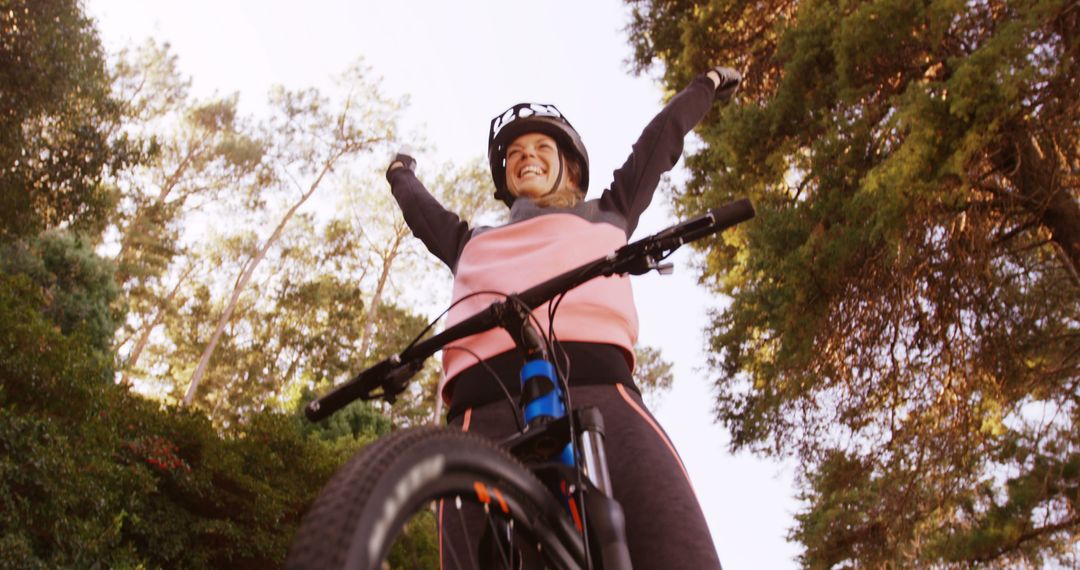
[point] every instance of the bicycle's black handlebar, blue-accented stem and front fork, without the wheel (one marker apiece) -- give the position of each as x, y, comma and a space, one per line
576, 439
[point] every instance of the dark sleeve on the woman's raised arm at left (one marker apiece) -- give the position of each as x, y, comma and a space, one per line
441, 230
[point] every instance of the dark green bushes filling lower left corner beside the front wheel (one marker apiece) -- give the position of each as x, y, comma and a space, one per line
92, 474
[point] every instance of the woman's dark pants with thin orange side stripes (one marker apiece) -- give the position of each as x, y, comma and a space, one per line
666, 528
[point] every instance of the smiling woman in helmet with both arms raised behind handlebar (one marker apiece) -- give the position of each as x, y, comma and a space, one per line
541, 170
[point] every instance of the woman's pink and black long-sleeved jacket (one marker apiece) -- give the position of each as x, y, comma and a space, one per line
597, 323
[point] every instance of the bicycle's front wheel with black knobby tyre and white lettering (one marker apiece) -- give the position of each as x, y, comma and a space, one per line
503, 517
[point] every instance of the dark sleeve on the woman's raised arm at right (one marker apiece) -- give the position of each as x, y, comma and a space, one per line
657, 152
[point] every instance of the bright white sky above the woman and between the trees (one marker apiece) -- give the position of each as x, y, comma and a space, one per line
461, 64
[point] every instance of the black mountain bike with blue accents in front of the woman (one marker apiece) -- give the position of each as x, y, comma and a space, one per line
541, 497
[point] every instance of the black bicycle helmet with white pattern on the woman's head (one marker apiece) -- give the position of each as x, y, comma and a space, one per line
532, 118
